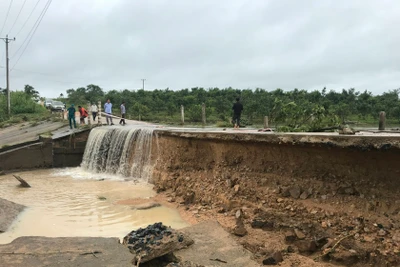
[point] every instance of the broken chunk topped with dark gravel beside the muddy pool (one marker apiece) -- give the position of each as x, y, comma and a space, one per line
155, 241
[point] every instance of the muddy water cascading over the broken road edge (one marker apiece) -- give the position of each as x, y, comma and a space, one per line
123, 151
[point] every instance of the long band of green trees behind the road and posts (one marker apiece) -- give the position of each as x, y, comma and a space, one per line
296, 110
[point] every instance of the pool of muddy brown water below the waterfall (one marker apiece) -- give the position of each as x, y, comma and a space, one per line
72, 202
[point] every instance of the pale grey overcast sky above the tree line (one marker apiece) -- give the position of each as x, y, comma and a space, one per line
179, 44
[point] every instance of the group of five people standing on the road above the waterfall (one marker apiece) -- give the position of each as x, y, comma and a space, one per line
94, 109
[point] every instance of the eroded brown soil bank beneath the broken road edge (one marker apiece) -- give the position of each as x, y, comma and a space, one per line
298, 195
